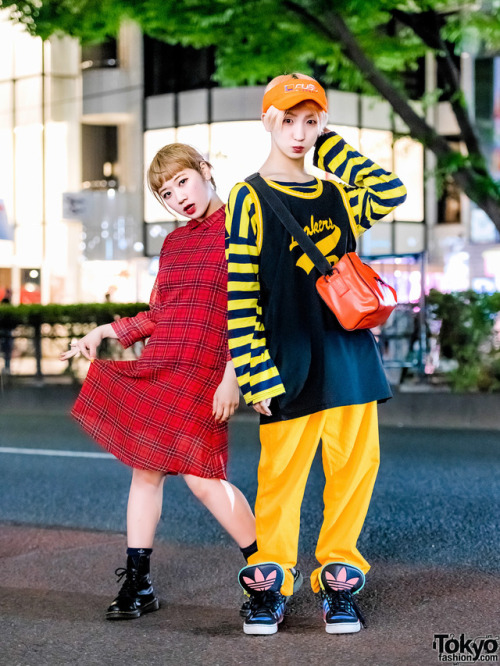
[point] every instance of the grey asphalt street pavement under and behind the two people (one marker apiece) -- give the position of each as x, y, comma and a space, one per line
431, 535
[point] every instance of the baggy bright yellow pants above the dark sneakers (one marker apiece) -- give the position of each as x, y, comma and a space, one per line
350, 462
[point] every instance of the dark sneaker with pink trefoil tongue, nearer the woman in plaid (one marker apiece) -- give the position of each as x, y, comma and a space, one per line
262, 582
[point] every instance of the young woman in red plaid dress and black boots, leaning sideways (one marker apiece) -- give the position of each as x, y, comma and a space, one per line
167, 412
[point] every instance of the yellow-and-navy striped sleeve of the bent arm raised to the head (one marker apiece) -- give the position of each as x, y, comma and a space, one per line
372, 191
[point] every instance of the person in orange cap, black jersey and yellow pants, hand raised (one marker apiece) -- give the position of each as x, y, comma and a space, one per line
307, 377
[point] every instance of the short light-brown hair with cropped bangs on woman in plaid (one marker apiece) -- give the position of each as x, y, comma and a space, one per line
171, 159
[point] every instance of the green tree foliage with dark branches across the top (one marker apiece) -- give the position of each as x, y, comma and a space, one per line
352, 44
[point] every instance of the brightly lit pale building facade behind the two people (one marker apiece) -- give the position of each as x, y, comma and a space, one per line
78, 127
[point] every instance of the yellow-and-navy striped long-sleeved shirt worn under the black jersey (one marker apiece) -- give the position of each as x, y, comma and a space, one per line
368, 192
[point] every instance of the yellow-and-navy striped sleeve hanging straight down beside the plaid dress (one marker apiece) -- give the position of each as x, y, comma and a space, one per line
257, 375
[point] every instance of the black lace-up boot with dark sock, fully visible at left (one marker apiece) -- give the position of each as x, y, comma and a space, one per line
136, 596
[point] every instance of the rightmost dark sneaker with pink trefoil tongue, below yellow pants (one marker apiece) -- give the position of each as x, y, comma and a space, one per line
339, 583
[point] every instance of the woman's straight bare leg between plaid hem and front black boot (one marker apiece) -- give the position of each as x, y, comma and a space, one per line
145, 502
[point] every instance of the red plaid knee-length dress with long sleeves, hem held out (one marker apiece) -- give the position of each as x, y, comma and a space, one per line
156, 413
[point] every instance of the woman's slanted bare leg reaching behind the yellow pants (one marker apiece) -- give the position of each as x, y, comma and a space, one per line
228, 506
